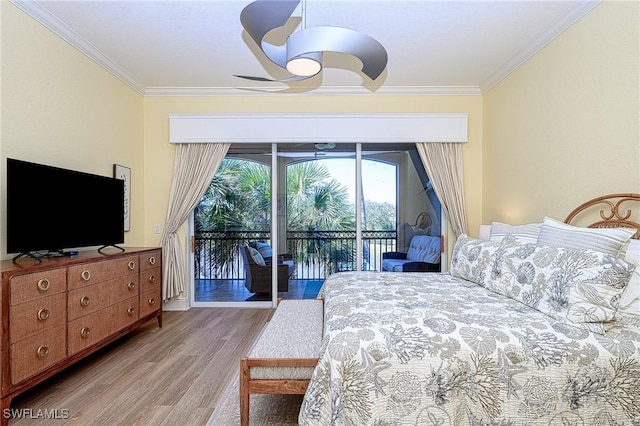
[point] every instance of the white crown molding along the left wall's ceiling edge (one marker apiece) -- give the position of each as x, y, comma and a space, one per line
62, 30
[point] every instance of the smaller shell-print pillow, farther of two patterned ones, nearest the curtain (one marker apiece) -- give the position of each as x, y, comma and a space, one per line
472, 258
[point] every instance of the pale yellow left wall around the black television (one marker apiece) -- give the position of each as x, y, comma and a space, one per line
60, 108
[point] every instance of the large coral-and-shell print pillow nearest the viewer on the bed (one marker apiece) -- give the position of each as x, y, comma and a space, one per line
581, 286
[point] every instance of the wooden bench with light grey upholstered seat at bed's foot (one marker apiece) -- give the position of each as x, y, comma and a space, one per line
285, 354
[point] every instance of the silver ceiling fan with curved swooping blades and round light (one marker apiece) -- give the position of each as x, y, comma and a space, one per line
302, 53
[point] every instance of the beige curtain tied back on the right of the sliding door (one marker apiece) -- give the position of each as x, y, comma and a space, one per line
443, 164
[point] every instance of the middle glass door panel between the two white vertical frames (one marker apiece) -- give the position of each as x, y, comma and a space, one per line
320, 210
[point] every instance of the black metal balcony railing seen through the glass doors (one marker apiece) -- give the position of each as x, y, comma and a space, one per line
317, 254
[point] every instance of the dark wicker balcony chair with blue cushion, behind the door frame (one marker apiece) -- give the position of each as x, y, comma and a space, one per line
258, 272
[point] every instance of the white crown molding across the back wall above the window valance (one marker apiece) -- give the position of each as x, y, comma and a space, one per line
320, 91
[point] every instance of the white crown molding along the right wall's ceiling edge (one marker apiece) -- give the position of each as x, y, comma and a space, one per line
573, 13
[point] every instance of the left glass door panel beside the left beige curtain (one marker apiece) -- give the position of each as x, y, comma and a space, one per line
232, 231
